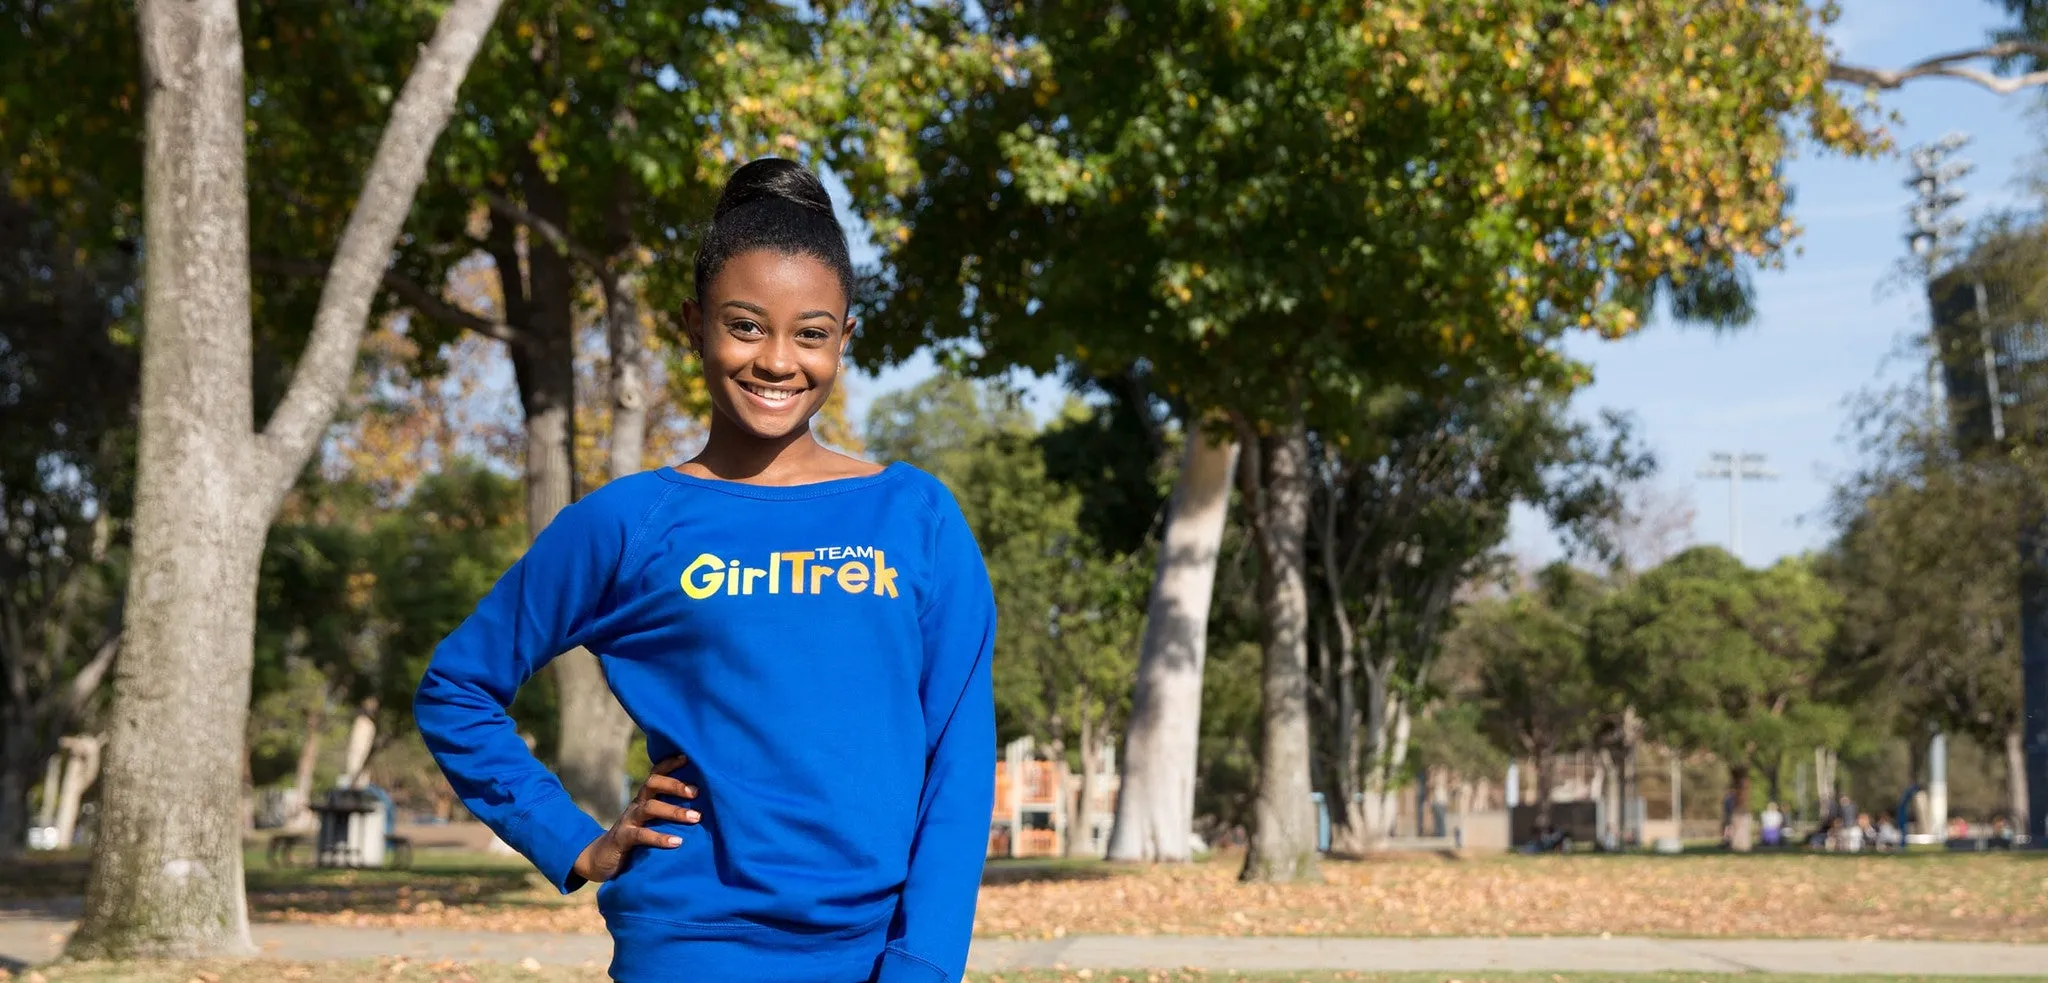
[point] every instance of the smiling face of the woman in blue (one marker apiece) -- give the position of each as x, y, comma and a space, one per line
771, 331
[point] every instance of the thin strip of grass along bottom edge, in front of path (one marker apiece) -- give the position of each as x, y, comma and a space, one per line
392, 970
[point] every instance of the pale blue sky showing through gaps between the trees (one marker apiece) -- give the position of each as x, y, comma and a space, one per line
1832, 325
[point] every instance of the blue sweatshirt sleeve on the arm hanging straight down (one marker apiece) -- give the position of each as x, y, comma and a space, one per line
937, 916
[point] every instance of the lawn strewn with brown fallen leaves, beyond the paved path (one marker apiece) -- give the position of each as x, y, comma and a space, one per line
2000, 898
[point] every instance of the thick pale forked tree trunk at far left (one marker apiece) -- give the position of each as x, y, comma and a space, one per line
167, 867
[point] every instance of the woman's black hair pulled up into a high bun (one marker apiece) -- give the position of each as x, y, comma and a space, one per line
775, 204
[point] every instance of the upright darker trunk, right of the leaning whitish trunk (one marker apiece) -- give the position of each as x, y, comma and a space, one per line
1283, 839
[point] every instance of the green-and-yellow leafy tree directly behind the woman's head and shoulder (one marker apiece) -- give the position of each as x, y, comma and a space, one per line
595, 140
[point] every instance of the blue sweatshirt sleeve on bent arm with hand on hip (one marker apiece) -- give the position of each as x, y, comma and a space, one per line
546, 605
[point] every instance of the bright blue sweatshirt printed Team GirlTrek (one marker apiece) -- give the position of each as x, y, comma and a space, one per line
822, 658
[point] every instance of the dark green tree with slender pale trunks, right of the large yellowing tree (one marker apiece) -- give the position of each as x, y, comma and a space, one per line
1410, 507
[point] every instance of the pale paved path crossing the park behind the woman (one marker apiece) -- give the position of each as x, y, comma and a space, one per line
30, 939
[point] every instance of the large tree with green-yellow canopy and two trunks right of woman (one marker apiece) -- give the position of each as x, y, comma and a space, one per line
1283, 210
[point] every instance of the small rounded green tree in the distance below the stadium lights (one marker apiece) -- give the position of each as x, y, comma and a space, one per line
1725, 660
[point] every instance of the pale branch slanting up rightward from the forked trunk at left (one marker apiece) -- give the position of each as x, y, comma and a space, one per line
366, 253
